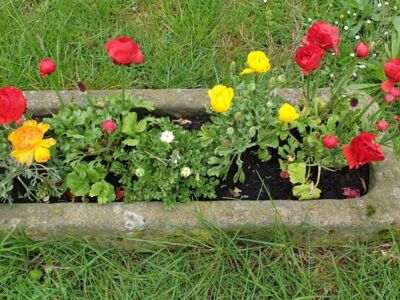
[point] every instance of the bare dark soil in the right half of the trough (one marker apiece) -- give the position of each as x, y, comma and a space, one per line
265, 176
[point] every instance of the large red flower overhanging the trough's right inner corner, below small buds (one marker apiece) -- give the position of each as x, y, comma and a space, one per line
362, 150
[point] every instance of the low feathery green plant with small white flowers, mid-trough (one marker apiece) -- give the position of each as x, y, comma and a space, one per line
153, 169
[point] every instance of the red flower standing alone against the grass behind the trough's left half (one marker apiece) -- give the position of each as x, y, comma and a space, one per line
123, 51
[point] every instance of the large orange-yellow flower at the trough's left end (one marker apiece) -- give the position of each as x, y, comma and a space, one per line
28, 143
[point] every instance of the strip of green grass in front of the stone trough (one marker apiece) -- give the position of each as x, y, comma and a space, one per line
225, 268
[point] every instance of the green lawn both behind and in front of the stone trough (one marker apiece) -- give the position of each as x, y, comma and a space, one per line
189, 44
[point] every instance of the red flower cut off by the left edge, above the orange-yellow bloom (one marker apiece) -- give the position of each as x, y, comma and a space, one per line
12, 105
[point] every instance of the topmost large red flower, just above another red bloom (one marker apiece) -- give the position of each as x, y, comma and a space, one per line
324, 36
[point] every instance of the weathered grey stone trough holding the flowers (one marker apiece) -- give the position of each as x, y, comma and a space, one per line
323, 222
